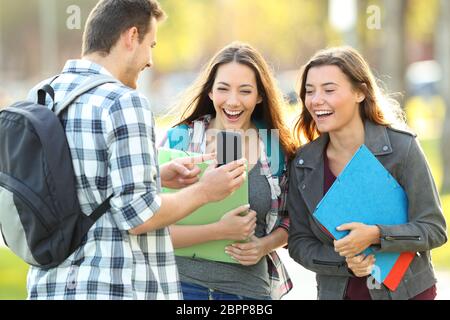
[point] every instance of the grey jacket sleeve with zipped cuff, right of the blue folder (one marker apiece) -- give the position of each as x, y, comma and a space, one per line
426, 228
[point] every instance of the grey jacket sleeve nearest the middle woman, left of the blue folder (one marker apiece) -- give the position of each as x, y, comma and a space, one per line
304, 247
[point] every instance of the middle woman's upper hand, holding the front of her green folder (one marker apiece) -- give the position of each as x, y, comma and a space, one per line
236, 226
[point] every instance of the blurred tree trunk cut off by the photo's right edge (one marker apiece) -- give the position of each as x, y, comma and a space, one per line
443, 55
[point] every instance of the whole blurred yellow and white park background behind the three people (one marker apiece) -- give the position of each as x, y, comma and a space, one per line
407, 43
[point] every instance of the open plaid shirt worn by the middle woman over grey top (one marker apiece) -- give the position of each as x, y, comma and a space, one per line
277, 217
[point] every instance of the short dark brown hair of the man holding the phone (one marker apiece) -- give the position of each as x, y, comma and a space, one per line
110, 18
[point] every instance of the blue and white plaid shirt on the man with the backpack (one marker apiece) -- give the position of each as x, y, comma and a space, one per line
110, 131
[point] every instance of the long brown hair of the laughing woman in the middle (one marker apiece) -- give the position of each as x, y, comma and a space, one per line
197, 103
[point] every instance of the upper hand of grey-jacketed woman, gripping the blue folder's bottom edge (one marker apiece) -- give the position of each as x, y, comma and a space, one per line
361, 237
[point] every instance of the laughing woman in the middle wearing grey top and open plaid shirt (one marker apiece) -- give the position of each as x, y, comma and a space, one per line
236, 91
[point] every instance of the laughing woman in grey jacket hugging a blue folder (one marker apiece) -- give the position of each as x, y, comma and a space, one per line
343, 109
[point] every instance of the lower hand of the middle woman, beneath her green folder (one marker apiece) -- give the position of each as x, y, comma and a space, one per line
248, 253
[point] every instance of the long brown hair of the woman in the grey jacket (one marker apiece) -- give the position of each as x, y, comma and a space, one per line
376, 107
